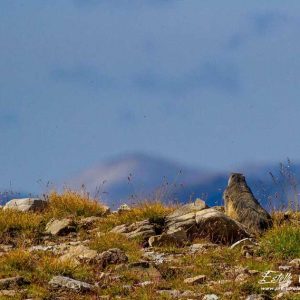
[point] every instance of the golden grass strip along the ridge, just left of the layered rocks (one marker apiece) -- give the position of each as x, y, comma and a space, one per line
154, 211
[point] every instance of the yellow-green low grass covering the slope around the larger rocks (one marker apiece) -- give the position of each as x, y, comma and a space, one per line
20, 231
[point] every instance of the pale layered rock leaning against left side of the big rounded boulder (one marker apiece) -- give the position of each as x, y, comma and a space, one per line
184, 216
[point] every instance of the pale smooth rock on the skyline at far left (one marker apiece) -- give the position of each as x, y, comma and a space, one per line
26, 204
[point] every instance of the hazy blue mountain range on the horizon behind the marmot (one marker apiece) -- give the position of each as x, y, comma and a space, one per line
132, 178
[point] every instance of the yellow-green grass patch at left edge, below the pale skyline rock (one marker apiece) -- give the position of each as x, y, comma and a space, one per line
18, 224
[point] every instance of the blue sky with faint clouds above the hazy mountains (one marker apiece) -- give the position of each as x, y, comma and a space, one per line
212, 84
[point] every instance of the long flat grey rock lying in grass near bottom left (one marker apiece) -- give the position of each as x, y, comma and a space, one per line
62, 282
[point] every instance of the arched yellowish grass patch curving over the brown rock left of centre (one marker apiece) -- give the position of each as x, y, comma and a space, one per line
114, 240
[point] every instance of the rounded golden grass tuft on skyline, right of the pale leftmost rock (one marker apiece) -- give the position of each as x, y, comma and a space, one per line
72, 203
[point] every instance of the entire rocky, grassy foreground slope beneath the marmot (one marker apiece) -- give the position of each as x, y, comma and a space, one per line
70, 247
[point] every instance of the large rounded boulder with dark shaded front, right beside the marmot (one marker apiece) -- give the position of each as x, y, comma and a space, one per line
218, 227
